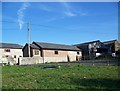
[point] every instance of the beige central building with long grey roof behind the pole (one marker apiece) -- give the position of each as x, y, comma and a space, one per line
53, 52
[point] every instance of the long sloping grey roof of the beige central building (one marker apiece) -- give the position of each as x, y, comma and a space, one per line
56, 46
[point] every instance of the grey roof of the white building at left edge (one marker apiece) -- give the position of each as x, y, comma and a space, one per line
10, 45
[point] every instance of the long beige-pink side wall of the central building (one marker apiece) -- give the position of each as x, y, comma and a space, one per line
62, 56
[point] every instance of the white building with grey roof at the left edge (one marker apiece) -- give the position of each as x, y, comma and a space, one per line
10, 52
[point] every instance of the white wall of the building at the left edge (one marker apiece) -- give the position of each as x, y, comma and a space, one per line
12, 53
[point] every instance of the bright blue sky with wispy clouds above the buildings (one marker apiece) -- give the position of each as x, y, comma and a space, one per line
59, 22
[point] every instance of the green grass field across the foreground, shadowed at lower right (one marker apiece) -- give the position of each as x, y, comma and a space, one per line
65, 77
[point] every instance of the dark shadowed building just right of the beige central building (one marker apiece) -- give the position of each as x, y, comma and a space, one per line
91, 50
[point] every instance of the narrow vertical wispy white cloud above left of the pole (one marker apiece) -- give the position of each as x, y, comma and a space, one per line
20, 14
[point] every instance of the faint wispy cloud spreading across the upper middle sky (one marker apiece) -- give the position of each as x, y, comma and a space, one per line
61, 11
